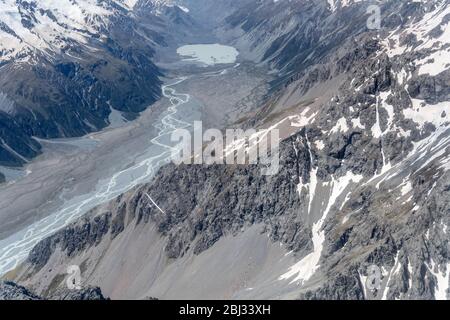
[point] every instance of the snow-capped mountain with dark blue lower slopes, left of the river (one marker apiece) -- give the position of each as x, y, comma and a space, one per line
64, 64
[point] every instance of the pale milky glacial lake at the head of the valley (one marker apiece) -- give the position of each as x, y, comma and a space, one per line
208, 54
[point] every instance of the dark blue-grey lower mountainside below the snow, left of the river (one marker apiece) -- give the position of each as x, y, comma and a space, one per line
70, 92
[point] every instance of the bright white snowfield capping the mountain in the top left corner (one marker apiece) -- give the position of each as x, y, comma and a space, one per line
49, 26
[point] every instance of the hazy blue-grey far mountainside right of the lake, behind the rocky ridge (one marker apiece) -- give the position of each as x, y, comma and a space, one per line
291, 35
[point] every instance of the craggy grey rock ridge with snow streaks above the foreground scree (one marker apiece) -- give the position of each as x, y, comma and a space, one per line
395, 217
